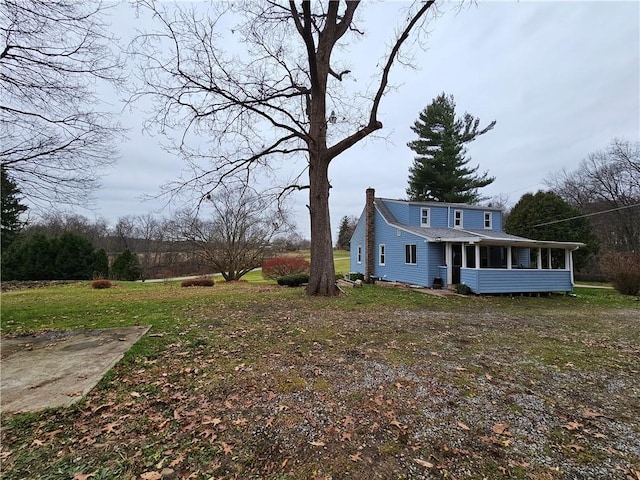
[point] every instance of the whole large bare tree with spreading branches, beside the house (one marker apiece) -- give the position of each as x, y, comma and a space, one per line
237, 99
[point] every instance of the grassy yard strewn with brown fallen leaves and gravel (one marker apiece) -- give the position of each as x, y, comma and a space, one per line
251, 380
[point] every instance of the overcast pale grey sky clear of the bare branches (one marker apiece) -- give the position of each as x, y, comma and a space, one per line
560, 79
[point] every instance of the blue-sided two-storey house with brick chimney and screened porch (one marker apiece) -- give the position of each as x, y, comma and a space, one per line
433, 244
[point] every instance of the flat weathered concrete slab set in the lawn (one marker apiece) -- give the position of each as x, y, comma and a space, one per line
56, 369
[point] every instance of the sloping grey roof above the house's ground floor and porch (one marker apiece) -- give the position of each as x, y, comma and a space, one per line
487, 237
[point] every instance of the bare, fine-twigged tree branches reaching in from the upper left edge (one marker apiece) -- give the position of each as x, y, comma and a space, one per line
53, 139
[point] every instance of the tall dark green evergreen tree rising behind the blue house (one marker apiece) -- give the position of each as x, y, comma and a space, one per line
439, 171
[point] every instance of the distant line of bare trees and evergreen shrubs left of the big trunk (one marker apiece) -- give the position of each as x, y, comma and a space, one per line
235, 238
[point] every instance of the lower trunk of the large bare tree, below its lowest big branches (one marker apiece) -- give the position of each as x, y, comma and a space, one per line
322, 280
